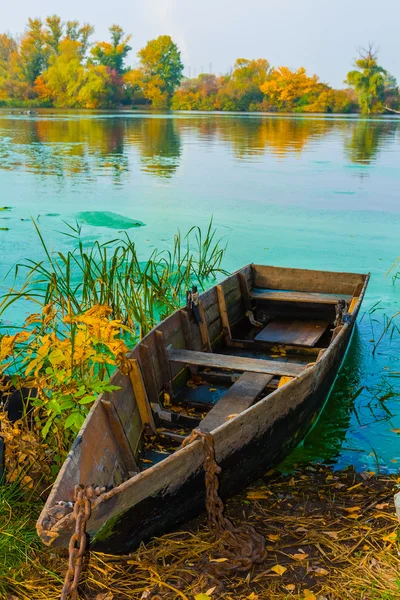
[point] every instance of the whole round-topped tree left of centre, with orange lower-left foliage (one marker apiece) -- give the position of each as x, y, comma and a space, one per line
160, 70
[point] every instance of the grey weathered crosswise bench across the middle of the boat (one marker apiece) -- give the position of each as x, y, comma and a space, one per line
236, 363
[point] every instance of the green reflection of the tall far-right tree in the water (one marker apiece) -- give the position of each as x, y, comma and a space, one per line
367, 137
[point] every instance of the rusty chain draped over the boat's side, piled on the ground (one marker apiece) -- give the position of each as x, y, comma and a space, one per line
241, 546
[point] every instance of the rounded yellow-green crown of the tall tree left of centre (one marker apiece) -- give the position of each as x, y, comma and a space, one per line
161, 63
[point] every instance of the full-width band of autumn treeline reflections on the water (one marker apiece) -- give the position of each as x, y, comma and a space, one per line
90, 146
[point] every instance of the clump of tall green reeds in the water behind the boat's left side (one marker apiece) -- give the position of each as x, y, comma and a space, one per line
140, 293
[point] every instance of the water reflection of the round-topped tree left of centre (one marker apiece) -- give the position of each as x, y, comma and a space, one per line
159, 144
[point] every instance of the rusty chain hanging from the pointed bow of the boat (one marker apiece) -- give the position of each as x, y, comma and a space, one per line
77, 543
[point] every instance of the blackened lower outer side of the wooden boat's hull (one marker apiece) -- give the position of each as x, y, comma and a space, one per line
166, 510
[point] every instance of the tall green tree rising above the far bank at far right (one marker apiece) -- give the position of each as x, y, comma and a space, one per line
371, 82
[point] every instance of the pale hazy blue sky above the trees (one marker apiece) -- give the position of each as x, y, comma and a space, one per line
323, 36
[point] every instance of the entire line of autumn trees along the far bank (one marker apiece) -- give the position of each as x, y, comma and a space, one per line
55, 64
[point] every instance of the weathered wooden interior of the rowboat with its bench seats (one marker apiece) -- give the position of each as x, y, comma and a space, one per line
231, 346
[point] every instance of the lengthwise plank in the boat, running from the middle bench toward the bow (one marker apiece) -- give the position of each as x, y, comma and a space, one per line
238, 398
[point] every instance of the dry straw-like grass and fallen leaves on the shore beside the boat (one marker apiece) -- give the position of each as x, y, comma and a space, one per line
330, 536
